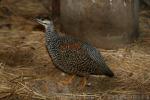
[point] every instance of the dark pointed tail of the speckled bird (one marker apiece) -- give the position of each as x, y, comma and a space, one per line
106, 70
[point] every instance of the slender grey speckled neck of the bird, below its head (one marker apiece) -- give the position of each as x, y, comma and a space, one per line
50, 33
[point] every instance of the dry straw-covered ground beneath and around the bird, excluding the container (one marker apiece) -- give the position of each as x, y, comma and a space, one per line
27, 73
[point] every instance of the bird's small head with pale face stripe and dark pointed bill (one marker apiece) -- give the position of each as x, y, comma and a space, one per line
45, 22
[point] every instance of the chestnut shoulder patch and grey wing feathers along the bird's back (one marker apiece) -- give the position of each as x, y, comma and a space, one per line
70, 43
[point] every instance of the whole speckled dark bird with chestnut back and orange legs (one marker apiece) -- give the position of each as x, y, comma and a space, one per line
72, 55
